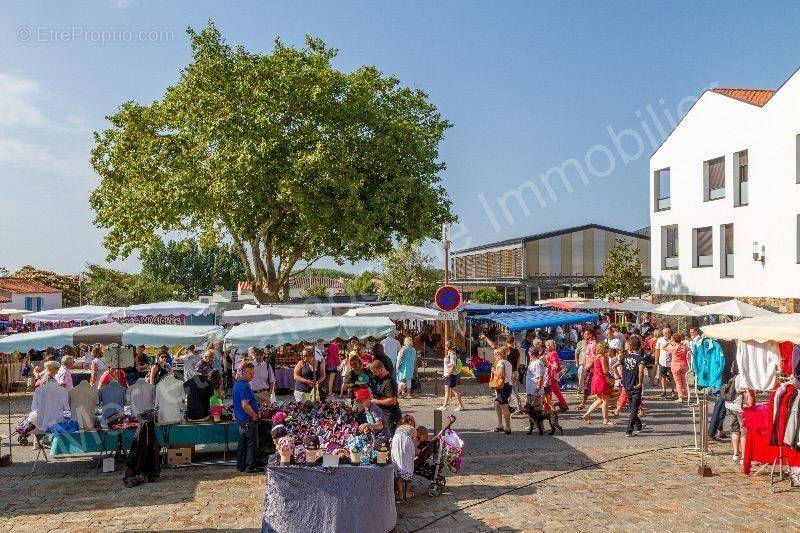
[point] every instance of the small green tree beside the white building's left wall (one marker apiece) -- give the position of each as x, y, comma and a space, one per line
622, 273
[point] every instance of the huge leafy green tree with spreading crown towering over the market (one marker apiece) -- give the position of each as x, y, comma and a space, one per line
288, 157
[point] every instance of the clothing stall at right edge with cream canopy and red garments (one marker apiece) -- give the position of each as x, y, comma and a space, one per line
768, 358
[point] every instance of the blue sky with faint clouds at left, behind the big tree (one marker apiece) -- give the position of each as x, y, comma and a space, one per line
529, 86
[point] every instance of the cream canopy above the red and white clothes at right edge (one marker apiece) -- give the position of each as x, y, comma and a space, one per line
777, 327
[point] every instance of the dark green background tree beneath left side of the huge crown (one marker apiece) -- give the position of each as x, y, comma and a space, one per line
196, 269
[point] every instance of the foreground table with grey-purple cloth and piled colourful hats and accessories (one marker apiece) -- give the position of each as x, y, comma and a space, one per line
326, 471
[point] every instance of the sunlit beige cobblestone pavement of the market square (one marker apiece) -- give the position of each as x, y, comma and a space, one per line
593, 478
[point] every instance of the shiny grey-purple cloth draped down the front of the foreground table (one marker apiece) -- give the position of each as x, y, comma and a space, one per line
348, 498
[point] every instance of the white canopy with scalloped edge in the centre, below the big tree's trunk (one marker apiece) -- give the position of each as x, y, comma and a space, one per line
306, 329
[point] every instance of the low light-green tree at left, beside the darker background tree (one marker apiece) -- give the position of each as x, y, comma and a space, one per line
104, 286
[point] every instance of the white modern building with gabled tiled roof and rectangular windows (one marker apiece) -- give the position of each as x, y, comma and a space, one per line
725, 200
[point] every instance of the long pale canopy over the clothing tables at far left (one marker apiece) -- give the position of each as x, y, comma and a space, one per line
113, 333
